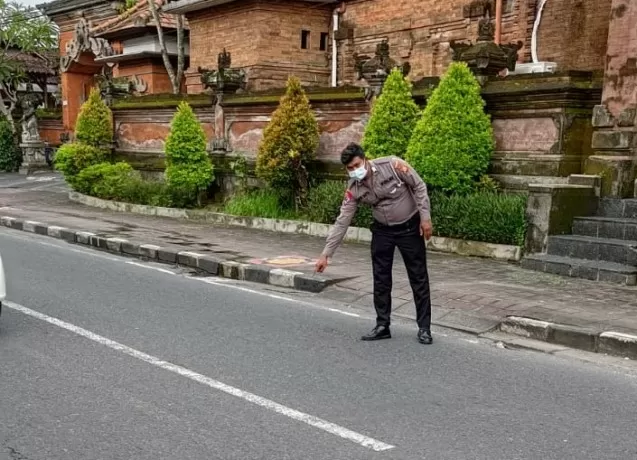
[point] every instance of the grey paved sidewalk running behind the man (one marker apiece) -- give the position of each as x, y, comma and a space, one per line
467, 293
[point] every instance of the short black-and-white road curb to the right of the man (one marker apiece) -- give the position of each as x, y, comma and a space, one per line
581, 338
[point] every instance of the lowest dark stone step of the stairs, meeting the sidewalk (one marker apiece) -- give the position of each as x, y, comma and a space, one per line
594, 270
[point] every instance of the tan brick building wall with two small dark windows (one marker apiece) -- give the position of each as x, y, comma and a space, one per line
264, 37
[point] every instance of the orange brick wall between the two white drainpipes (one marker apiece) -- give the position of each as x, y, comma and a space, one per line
418, 31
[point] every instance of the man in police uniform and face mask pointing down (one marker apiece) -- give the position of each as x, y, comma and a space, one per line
400, 204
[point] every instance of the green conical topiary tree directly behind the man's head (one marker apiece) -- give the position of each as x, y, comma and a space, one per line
393, 118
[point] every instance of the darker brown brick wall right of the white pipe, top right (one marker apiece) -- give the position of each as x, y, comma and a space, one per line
574, 33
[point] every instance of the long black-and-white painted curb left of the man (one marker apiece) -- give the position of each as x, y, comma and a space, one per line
204, 263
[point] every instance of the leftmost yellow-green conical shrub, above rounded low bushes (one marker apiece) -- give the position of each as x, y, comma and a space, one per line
94, 124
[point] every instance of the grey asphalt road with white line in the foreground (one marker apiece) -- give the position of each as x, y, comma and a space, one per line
110, 358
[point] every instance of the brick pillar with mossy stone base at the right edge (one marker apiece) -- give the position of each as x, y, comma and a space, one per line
615, 137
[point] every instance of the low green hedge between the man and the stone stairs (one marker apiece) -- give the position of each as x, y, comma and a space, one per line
486, 217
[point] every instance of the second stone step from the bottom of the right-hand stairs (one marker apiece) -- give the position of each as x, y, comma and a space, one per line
591, 248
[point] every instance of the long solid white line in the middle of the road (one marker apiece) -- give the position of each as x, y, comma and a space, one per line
315, 422
